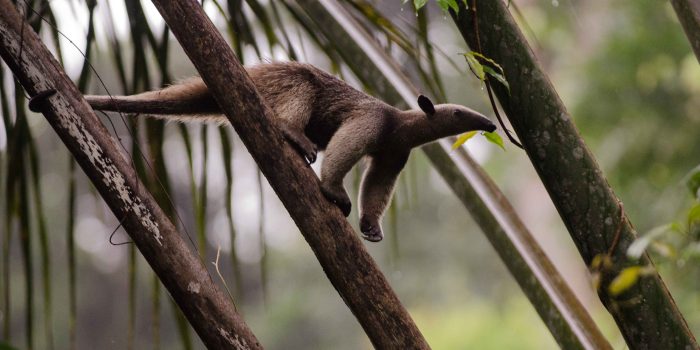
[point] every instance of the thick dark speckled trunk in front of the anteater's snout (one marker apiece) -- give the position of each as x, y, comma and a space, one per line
645, 313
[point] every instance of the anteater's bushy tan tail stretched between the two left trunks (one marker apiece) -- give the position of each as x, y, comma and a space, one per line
189, 100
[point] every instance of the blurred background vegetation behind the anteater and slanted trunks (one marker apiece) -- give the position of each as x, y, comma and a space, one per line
624, 69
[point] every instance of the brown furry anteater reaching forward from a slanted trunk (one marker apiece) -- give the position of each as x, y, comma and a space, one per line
315, 110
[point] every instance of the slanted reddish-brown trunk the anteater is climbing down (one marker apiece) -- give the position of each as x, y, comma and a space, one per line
342, 255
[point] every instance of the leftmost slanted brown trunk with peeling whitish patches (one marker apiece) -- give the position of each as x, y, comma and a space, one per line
209, 311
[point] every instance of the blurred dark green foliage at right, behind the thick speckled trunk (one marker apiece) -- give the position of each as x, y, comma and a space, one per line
639, 107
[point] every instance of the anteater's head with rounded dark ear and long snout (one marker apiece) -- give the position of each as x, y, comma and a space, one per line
457, 118
